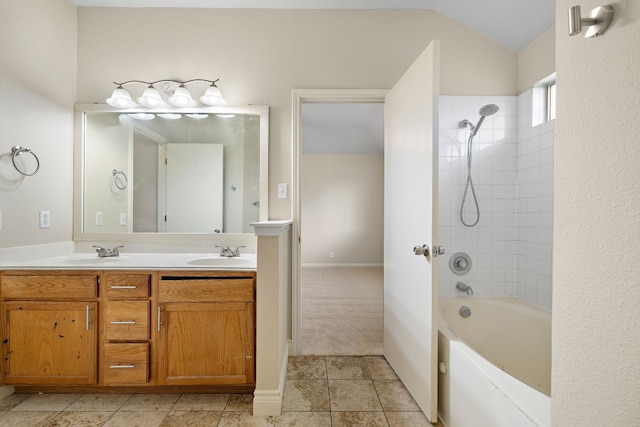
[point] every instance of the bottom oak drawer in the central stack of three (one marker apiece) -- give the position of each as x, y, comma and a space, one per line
126, 364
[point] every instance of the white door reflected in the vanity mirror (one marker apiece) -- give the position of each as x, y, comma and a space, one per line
194, 188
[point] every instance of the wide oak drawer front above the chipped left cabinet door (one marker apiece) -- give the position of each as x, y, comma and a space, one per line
50, 287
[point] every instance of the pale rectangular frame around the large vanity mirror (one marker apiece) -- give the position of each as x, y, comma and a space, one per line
79, 235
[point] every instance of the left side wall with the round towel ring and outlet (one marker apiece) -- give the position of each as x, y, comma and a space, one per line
37, 93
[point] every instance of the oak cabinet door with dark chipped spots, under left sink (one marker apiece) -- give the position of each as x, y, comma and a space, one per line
50, 342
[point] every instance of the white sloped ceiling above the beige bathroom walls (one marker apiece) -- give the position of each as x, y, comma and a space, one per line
512, 23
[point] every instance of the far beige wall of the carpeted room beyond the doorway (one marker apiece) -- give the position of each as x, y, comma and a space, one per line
342, 209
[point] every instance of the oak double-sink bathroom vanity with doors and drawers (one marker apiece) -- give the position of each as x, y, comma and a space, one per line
128, 329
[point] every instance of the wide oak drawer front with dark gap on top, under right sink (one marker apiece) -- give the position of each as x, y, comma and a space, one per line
201, 290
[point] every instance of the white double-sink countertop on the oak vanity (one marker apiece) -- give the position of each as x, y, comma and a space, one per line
138, 261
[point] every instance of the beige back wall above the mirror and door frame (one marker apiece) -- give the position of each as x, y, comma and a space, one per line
261, 55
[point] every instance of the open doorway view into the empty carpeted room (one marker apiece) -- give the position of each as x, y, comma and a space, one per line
342, 221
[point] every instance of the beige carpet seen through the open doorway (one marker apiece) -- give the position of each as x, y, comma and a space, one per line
341, 311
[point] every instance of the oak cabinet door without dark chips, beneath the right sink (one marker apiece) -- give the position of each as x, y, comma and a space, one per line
207, 343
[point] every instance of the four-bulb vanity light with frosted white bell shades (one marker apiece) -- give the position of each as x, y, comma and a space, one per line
177, 96
